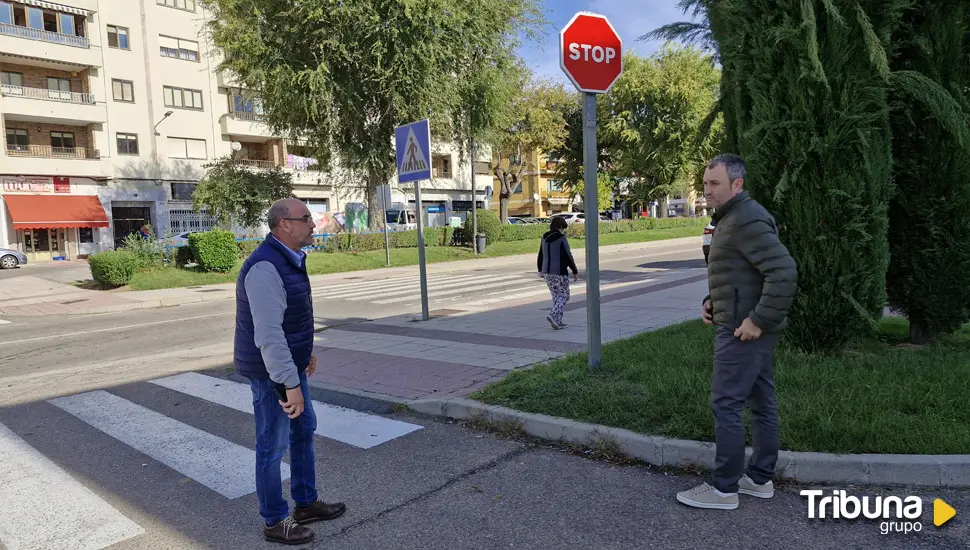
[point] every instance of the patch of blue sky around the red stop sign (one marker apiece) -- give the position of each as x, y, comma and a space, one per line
630, 18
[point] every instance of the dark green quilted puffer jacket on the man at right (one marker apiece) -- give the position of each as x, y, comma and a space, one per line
750, 272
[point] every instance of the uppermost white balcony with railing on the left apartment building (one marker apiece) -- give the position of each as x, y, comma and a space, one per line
48, 46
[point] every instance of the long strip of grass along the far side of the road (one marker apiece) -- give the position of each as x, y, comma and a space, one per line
320, 263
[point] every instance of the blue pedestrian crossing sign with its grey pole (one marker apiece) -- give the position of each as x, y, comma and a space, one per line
413, 147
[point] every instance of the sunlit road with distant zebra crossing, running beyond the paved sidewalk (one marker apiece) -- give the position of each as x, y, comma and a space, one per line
75, 343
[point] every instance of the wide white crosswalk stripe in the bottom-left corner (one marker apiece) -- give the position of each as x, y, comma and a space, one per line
43, 508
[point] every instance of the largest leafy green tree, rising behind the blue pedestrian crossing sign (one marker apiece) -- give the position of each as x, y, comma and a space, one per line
342, 75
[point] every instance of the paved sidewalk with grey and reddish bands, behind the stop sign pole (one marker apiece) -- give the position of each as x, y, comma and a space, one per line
459, 351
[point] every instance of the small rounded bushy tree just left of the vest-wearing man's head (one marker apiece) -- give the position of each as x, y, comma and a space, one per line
239, 194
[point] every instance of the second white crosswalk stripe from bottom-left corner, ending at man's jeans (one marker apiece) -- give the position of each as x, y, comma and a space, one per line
220, 465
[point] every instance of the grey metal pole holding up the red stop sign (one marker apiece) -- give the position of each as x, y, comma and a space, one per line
592, 231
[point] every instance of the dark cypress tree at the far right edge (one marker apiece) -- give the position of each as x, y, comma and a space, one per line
929, 215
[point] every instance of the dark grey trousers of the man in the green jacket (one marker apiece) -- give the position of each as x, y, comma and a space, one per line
743, 373
